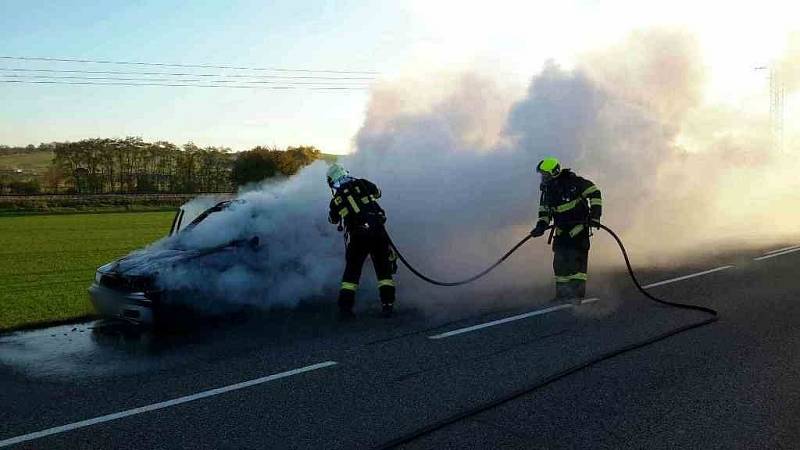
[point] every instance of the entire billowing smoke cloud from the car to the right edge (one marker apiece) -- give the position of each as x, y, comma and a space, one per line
459, 186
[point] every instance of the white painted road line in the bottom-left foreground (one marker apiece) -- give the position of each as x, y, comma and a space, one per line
161, 405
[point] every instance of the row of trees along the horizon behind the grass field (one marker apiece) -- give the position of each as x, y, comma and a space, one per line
132, 165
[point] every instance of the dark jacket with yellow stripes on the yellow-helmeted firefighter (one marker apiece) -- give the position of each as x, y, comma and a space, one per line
570, 202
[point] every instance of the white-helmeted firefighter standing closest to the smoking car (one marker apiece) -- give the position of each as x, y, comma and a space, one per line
354, 208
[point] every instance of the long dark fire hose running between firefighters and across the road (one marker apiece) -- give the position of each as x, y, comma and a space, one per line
427, 429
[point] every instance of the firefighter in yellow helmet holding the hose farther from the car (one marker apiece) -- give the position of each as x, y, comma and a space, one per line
574, 205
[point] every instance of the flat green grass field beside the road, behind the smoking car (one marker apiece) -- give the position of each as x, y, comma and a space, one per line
48, 262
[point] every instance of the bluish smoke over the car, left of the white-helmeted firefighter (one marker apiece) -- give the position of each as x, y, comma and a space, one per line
298, 256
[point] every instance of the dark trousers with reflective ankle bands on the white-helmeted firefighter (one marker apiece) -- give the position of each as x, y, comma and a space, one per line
374, 243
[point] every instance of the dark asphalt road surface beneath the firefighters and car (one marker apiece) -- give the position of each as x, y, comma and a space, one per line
302, 380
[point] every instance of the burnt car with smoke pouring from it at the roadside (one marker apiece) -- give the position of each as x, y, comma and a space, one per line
130, 287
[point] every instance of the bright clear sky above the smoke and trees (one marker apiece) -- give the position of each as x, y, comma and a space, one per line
396, 38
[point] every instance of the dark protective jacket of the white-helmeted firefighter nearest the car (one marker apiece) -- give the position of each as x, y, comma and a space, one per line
354, 205
